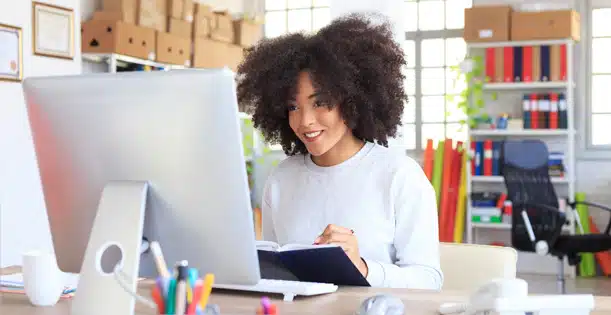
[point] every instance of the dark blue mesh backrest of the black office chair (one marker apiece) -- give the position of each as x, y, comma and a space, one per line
526, 172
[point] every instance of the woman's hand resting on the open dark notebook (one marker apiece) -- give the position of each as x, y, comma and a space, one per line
344, 237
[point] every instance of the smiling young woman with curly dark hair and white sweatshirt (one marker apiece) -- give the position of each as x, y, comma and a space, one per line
332, 100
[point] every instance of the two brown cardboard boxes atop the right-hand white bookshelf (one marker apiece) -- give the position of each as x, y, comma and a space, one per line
495, 23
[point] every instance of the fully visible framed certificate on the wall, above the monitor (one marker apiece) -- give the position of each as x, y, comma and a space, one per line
53, 31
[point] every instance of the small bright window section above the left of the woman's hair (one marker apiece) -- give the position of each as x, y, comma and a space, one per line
287, 16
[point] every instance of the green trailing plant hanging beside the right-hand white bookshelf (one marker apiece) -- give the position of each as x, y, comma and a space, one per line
468, 82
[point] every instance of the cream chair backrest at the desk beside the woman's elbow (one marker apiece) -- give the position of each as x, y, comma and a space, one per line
466, 267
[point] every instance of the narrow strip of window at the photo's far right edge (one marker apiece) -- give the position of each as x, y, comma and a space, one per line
600, 80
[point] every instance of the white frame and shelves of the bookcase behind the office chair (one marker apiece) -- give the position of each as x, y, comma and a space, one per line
566, 186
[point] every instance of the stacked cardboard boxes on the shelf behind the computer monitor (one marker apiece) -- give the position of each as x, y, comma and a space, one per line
181, 32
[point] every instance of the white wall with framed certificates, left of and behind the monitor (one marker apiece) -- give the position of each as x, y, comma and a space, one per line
23, 220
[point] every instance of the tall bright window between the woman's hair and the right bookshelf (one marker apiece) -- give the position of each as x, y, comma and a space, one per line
433, 45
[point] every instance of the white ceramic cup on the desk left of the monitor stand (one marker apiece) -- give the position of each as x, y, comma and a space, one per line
42, 280
